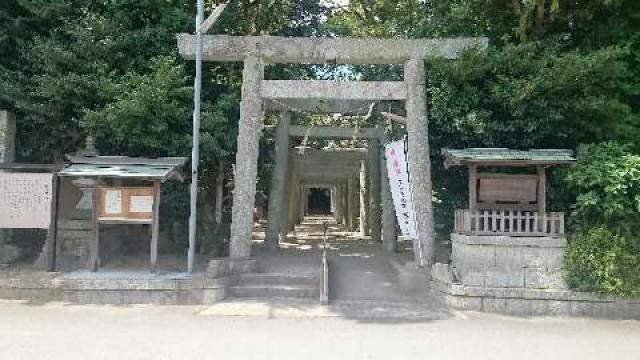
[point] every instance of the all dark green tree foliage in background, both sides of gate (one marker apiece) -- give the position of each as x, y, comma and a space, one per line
558, 73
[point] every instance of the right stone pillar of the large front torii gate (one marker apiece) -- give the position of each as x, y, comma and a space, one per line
419, 160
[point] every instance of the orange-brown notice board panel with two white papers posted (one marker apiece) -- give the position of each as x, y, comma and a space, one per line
127, 204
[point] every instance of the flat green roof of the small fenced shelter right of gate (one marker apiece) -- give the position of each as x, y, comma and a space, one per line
507, 157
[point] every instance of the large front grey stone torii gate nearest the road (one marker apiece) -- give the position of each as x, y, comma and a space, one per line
326, 96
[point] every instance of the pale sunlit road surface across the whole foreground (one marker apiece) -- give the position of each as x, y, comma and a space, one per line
58, 331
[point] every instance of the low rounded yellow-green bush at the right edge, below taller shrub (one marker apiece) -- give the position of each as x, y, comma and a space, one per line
601, 261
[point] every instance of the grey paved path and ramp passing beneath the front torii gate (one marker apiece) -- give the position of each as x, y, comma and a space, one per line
359, 269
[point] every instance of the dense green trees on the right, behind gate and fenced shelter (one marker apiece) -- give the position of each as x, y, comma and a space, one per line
557, 73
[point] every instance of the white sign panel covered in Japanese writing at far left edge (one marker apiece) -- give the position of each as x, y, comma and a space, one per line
25, 200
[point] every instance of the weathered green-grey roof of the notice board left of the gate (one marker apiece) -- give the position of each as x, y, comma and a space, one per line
125, 167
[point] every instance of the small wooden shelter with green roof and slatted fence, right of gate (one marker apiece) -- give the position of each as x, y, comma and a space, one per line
509, 197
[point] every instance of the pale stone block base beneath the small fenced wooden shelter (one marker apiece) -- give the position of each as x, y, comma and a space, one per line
508, 262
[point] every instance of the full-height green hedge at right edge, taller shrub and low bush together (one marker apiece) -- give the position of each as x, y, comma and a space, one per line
603, 254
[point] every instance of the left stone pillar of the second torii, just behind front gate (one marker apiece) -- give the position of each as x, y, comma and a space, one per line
278, 181
